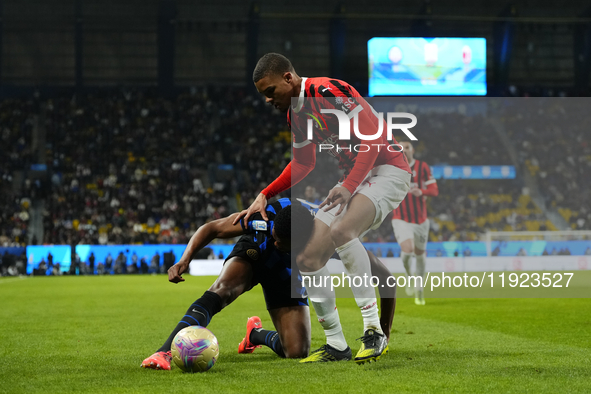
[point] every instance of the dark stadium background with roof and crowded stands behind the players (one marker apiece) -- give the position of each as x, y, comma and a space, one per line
127, 122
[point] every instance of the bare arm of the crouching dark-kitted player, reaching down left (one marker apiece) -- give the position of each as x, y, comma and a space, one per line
221, 228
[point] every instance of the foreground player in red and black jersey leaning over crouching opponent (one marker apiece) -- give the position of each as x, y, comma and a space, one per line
376, 179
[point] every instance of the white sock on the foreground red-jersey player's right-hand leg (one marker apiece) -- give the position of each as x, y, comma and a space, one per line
356, 262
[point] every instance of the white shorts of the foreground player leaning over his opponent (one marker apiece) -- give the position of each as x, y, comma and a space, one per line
385, 185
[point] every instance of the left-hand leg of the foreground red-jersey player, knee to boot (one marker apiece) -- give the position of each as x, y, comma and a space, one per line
312, 265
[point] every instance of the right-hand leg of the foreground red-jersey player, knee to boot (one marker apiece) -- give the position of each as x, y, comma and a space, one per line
345, 232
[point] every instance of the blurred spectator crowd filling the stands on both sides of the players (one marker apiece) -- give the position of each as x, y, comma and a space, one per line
130, 166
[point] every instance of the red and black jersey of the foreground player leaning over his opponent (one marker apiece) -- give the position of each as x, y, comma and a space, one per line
329, 93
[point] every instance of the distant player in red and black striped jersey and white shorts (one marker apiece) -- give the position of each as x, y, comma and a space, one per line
410, 222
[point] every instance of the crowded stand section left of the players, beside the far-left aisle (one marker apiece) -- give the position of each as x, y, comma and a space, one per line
154, 170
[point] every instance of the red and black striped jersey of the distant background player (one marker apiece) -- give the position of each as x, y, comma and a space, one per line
414, 209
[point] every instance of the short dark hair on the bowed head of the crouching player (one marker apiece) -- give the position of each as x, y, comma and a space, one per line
298, 218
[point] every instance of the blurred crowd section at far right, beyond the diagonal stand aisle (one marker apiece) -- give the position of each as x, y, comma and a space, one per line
555, 148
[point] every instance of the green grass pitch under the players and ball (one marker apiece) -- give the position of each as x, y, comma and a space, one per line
90, 334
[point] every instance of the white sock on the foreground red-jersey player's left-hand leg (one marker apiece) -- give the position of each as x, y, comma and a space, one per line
324, 302
